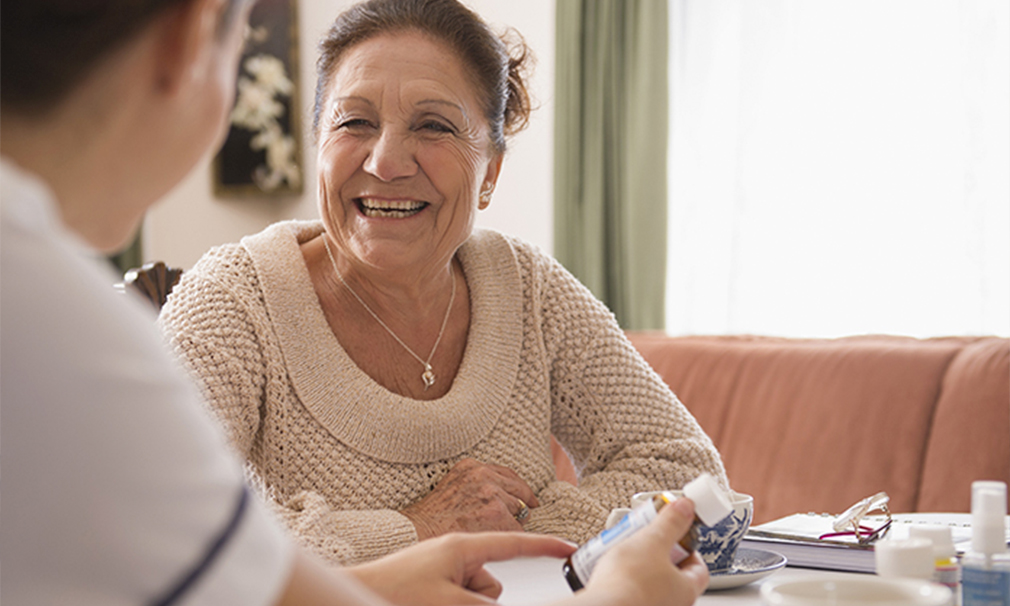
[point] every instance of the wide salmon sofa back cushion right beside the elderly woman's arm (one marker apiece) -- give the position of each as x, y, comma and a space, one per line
811, 425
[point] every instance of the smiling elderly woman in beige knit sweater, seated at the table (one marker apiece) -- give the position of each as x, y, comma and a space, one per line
392, 374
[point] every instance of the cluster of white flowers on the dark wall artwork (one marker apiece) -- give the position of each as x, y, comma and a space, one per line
258, 110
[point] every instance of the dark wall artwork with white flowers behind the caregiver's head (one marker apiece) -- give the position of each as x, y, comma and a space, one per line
262, 156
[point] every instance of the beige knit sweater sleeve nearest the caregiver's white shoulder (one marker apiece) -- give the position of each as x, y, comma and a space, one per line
217, 325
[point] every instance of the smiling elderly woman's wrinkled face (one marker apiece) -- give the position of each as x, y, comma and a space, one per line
405, 153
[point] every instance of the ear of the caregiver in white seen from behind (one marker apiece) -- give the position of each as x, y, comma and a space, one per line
188, 41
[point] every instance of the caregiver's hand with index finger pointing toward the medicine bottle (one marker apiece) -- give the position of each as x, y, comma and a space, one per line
450, 570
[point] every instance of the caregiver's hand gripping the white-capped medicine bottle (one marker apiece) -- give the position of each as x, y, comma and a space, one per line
640, 571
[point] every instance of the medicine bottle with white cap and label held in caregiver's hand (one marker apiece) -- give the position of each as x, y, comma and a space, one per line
712, 507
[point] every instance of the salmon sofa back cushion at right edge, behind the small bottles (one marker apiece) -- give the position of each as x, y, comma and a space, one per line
970, 439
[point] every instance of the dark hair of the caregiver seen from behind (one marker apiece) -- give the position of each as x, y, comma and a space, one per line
49, 47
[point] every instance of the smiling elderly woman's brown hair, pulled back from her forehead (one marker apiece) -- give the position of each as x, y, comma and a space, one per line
499, 69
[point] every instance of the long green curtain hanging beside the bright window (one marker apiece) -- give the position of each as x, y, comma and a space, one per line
611, 153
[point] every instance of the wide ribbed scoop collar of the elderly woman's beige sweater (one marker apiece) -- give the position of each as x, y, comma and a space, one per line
349, 403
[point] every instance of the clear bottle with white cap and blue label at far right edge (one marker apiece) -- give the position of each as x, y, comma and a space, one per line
985, 579
